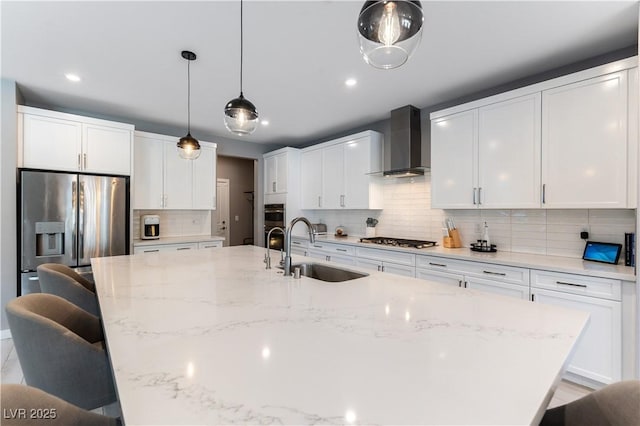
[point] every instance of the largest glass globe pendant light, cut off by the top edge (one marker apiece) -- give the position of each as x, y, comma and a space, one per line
389, 31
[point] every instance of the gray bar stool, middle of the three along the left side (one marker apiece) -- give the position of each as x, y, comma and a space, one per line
61, 349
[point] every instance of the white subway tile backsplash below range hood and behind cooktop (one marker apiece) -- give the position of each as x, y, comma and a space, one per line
407, 214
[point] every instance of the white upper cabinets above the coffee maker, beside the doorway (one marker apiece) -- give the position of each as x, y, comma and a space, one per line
163, 180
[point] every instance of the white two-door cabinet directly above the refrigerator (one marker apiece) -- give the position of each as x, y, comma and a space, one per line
57, 141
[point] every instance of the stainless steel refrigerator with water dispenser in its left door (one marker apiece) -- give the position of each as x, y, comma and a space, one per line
69, 218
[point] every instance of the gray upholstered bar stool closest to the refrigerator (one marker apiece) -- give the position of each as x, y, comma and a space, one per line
65, 282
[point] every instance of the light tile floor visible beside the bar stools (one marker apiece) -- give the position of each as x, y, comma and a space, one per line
12, 373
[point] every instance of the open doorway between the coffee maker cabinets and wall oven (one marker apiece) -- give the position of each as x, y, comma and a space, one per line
239, 173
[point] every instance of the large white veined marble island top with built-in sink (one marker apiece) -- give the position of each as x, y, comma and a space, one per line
211, 337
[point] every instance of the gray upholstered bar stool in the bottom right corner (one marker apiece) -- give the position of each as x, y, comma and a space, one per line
615, 404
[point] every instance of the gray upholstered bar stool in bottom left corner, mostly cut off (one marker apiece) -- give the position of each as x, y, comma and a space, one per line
28, 406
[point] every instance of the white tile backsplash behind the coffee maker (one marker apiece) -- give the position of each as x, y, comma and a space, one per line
176, 223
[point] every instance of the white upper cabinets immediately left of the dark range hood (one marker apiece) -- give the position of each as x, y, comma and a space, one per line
335, 174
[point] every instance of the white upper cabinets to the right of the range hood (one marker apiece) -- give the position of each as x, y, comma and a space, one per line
570, 142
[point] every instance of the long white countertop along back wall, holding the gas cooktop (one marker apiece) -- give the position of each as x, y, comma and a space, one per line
522, 260
